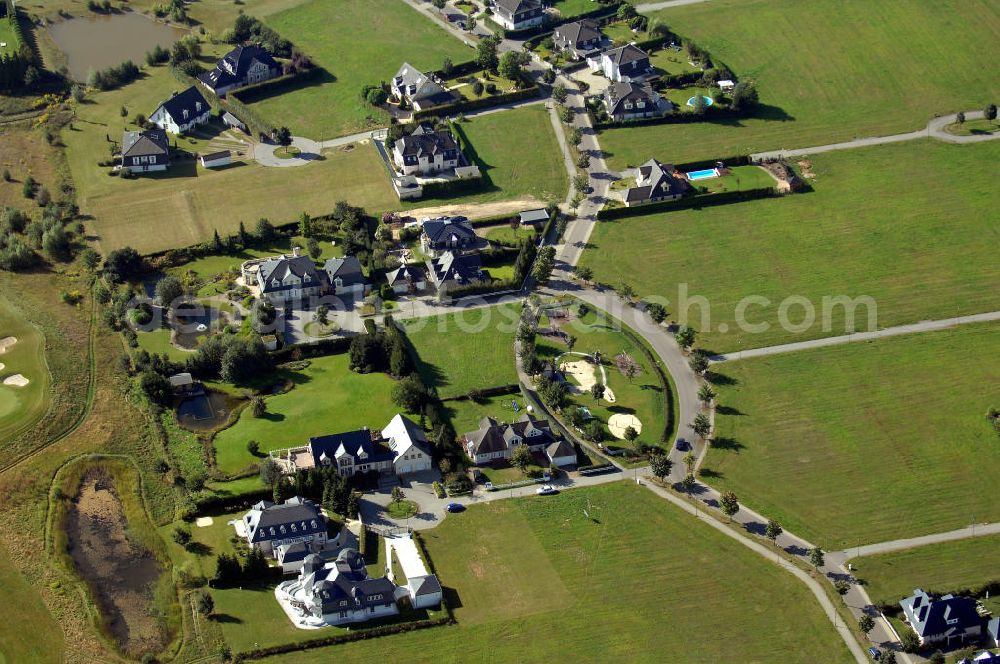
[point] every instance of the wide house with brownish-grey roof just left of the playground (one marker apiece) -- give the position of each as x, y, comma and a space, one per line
495, 441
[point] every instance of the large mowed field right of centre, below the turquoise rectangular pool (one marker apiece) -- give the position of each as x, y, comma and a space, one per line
910, 225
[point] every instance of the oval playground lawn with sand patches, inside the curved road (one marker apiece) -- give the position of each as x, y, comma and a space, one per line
642, 396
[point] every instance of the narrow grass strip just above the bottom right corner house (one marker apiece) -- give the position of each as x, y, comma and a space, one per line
936, 568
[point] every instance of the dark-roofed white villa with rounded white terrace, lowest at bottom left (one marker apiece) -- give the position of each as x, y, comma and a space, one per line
337, 592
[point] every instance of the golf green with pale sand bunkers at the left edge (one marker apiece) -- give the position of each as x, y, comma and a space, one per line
20, 407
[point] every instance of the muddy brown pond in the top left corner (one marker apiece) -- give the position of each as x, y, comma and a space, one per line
98, 42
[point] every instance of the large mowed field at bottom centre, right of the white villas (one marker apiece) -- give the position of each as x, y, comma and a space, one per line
537, 581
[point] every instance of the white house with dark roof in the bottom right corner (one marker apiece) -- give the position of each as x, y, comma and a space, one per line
946, 621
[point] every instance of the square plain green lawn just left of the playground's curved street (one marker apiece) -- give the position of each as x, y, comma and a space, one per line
472, 349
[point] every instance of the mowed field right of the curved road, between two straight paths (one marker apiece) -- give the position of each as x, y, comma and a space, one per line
864, 442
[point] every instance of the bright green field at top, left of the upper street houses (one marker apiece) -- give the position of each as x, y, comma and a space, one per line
361, 42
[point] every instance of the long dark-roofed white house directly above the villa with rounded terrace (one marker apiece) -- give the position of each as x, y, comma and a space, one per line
267, 526
